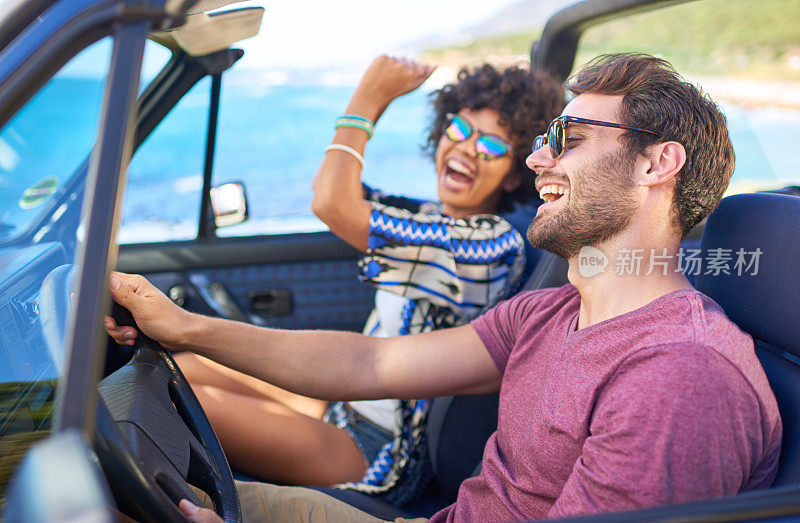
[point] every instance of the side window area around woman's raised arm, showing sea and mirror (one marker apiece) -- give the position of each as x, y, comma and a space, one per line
272, 135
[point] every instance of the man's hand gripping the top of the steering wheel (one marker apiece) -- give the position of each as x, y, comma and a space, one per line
155, 314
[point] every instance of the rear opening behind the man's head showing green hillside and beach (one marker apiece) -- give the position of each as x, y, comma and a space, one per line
746, 55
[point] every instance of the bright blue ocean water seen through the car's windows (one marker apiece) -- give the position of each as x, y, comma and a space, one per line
272, 139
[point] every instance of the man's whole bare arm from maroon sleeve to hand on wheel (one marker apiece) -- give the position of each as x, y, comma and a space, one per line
321, 364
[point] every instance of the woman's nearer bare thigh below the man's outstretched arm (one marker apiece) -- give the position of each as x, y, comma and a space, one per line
267, 439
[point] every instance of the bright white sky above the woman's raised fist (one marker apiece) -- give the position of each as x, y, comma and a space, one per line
319, 33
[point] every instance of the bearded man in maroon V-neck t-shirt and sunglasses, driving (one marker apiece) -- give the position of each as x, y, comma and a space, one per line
625, 388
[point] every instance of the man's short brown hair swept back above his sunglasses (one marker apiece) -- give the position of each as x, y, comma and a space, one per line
655, 97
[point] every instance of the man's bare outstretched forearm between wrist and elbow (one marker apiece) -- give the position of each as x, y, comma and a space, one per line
320, 364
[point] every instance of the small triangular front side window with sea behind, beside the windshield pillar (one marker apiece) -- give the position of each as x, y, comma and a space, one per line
165, 177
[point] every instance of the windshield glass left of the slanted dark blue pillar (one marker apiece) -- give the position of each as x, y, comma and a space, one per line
41, 151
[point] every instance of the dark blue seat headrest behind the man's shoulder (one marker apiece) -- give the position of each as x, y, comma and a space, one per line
765, 304
